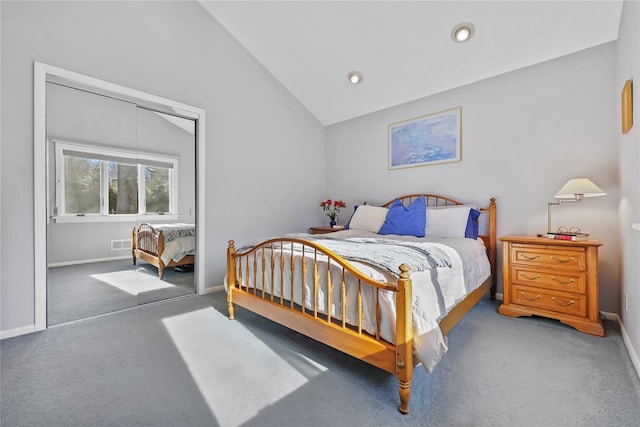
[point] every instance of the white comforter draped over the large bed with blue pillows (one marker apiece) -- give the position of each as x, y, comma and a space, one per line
435, 291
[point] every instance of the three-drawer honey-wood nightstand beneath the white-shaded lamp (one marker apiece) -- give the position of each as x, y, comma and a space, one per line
552, 278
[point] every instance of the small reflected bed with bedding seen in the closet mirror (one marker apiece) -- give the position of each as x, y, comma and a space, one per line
164, 245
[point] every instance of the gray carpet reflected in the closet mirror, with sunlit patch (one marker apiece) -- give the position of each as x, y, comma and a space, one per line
79, 291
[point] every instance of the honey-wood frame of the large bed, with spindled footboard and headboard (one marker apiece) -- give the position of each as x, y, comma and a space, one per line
397, 359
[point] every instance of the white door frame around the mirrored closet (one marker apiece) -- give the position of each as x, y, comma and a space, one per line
43, 73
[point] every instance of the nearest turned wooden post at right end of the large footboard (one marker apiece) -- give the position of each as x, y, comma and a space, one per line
404, 338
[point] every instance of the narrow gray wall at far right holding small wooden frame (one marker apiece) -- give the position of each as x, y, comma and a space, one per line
628, 67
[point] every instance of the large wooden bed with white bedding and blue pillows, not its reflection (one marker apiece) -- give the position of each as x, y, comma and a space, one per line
326, 288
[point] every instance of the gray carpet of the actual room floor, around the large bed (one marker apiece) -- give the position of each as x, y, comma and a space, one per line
183, 363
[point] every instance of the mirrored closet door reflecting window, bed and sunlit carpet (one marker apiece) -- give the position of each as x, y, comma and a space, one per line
121, 202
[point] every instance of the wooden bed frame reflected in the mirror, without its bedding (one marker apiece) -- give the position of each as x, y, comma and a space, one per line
148, 244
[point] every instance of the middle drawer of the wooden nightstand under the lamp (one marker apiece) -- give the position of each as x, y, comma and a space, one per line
558, 280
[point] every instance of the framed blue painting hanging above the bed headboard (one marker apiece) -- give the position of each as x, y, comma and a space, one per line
426, 140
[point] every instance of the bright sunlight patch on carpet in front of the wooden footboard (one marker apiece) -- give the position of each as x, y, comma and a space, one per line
235, 396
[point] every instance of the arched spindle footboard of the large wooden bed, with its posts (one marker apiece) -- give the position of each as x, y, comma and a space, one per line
257, 280
